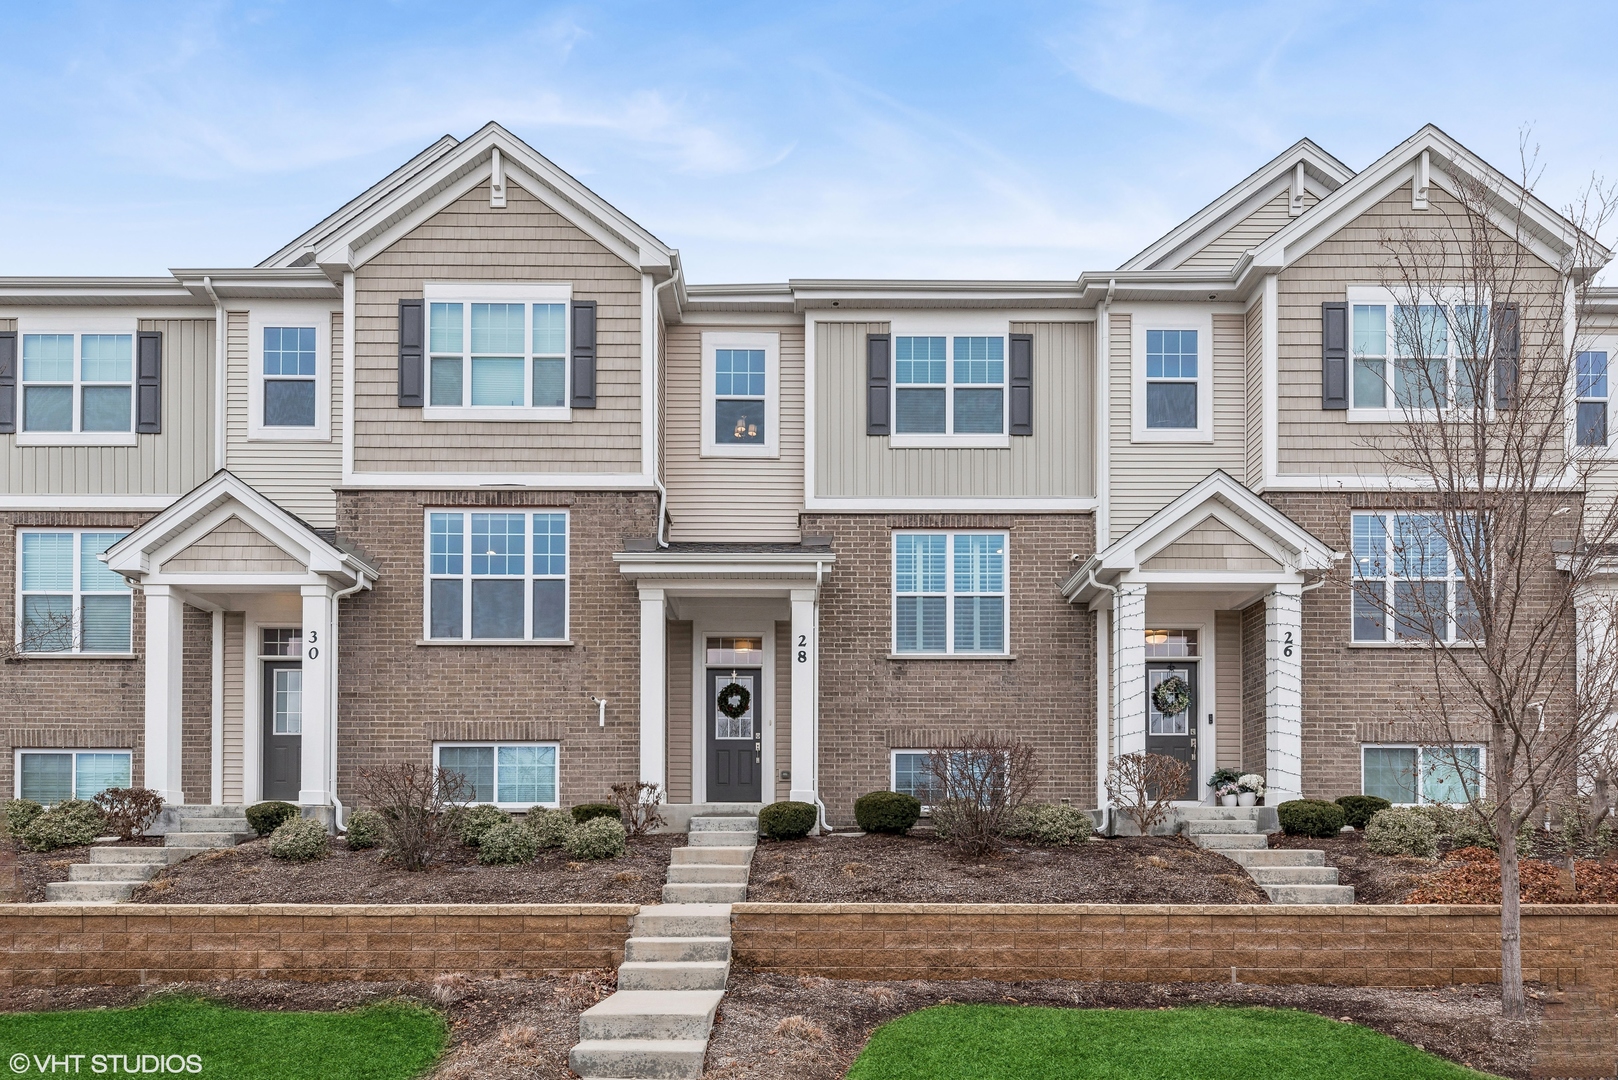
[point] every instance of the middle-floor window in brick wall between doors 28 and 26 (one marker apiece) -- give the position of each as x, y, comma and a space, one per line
951, 593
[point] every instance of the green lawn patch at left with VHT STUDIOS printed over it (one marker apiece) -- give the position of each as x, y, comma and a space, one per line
379, 1044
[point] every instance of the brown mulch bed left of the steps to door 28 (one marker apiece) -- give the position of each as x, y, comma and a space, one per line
250, 875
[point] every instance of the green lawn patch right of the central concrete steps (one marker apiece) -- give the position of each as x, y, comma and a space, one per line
1195, 1044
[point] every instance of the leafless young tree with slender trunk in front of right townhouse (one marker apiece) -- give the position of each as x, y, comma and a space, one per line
1489, 559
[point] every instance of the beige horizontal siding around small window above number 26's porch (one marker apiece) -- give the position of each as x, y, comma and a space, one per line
1148, 477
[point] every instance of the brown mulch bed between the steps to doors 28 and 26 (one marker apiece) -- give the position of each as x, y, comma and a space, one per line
925, 870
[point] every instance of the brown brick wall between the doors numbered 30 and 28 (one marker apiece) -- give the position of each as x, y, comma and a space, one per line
400, 697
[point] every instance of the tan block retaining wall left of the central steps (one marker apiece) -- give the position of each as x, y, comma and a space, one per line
142, 945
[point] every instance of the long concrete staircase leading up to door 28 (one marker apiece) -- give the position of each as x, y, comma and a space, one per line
676, 964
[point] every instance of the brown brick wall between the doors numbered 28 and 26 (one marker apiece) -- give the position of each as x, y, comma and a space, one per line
871, 705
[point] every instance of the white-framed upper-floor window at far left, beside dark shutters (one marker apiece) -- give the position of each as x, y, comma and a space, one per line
78, 383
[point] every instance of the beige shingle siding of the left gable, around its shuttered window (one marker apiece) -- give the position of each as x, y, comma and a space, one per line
527, 242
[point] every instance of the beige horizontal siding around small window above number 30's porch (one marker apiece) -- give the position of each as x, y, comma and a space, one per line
299, 477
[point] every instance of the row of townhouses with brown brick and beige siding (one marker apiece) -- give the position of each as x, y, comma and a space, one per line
470, 475
